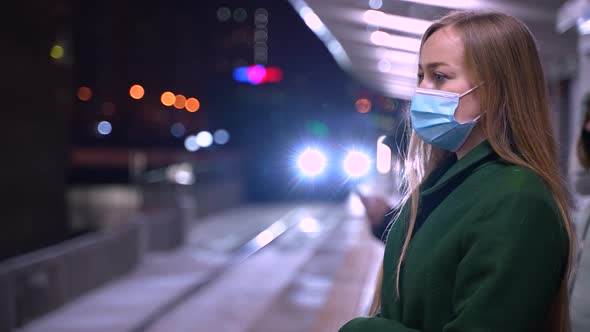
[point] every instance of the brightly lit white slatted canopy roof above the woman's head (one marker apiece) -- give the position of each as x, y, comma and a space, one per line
378, 41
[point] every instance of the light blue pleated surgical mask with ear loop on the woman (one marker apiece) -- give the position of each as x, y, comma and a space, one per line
433, 118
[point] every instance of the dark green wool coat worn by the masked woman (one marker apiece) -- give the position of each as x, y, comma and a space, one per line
490, 254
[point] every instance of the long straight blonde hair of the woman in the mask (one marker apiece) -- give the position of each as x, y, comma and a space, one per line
500, 51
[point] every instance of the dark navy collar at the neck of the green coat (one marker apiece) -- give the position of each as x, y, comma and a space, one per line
451, 167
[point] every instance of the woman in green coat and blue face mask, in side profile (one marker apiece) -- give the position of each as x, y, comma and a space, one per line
484, 239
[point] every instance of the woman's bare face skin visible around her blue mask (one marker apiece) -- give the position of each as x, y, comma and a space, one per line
442, 67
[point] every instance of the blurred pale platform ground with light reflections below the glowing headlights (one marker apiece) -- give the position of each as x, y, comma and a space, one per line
289, 267
